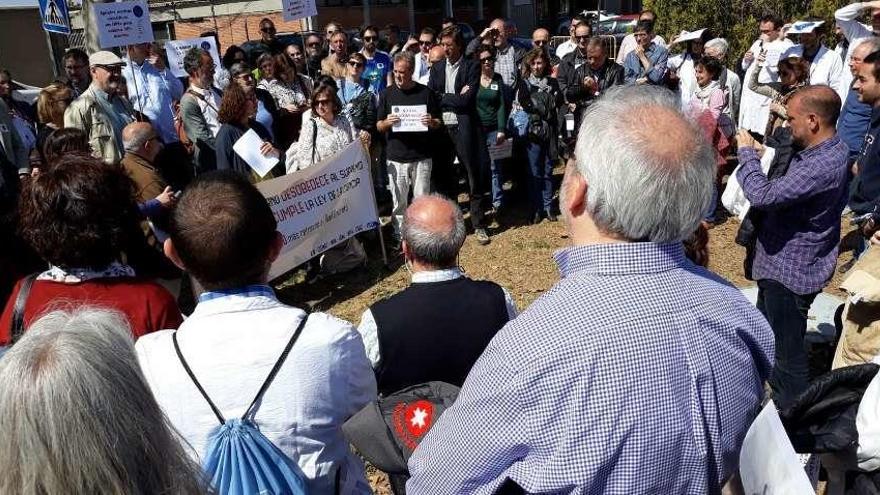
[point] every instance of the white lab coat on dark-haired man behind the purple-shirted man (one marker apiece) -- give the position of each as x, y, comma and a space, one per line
754, 109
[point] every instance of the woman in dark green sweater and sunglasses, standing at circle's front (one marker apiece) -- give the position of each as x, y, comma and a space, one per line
493, 118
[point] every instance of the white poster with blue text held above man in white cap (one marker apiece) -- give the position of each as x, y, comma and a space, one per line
123, 23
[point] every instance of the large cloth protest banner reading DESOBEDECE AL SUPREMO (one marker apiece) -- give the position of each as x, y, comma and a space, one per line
321, 206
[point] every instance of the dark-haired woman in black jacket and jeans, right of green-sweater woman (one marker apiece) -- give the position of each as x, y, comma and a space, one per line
540, 97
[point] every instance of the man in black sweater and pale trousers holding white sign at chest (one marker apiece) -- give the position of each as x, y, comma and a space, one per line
408, 111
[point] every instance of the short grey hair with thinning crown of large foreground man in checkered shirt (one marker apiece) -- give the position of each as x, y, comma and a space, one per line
635, 191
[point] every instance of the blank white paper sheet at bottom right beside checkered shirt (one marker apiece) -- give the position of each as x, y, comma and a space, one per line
767, 461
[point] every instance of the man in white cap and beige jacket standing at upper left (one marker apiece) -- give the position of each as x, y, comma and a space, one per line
100, 112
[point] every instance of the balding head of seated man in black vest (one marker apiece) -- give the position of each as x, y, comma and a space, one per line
433, 232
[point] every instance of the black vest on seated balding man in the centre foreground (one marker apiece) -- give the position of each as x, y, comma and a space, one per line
436, 331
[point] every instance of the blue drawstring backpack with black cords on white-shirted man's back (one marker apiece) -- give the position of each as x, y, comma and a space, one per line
240, 459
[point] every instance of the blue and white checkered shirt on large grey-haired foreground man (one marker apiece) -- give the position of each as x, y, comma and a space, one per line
638, 372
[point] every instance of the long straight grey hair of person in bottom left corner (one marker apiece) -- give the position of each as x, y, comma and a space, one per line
77, 415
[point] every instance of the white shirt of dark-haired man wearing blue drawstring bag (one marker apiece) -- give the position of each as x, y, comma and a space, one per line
231, 343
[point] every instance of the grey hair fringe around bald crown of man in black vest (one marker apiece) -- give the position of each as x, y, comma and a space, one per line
433, 248
